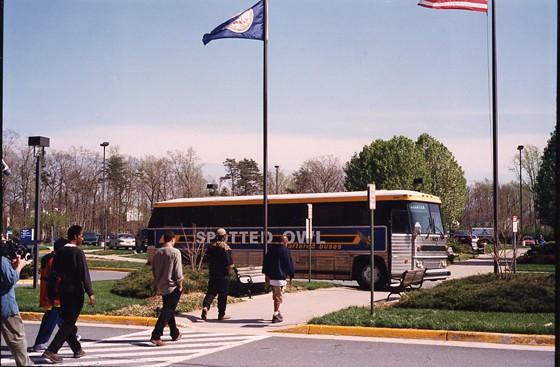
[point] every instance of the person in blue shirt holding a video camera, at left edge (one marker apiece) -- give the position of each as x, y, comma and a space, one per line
13, 330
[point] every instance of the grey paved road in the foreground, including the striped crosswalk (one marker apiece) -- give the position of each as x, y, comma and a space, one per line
129, 346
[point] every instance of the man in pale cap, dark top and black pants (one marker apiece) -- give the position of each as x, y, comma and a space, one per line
220, 263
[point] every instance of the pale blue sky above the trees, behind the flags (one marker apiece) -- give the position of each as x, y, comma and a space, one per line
341, 73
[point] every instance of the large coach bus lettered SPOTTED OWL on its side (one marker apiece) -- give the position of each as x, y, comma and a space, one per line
408, 234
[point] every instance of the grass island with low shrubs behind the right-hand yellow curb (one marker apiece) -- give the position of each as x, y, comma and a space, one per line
516, 303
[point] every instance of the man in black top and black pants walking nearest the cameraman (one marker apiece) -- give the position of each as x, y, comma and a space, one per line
70, 266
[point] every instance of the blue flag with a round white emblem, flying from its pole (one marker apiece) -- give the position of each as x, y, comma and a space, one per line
249, 24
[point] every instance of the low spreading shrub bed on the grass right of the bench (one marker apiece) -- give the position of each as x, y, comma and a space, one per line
531, 293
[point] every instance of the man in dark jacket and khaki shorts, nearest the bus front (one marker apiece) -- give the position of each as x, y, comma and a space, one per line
278, 266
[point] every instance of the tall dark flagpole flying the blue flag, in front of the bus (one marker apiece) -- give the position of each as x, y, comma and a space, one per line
265, 128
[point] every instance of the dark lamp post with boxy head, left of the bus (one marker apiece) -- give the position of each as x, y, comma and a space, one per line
39, 143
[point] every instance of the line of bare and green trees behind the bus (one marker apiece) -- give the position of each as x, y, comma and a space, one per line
72, 183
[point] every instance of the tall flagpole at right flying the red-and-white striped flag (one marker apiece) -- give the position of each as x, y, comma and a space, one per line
495, 135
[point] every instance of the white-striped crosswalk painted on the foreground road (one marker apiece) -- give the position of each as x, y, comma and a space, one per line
135, 349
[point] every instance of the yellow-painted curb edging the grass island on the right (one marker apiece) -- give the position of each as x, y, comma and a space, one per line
443, 335
